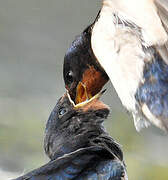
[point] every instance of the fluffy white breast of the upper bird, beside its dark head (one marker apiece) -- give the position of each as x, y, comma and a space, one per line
119, 51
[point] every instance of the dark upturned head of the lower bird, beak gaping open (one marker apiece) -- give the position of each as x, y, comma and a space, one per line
71, 126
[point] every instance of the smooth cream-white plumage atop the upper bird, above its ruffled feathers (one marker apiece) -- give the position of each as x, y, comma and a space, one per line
144, 14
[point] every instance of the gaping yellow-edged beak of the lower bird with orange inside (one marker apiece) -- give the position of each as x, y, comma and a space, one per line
83, 96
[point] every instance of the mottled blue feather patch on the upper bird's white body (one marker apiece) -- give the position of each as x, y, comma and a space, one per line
154, 91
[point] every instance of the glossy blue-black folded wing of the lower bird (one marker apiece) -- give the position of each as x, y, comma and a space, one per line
82, 164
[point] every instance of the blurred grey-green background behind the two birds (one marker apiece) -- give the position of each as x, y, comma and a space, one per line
34, 36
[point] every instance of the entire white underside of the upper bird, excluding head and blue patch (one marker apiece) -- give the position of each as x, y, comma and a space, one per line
124, 39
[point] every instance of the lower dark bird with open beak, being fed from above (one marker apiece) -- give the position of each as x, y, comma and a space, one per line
78, 145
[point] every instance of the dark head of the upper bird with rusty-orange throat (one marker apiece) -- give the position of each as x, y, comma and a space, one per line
83, 75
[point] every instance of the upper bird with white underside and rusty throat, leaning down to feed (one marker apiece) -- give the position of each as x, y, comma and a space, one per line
129, 41
